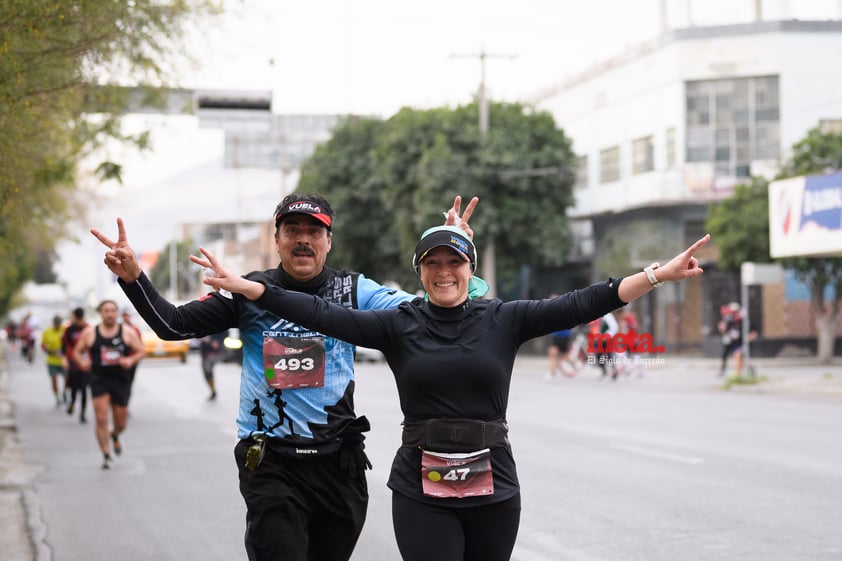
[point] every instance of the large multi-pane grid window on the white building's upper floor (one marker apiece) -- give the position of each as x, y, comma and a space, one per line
732, 122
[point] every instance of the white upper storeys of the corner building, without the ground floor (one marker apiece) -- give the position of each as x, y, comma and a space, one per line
689, 115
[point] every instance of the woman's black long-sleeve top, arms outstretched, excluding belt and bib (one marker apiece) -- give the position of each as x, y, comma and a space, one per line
449, 362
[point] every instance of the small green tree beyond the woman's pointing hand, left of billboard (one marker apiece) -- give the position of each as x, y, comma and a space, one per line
740, 225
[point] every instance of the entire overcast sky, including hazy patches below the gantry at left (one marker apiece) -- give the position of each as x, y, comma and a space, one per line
374, 57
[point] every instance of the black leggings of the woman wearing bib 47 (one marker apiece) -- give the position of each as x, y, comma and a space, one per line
444, 533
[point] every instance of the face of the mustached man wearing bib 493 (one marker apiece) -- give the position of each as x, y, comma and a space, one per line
302, 243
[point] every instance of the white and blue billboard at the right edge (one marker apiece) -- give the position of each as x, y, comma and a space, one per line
805, 216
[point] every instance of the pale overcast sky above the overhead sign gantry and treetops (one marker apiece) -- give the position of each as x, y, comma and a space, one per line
375, 56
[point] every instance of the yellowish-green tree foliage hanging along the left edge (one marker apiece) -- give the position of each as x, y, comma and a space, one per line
60, 64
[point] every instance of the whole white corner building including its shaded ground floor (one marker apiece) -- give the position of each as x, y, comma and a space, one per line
663, 130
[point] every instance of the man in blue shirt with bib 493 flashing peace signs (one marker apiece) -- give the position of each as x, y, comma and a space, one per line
300, 452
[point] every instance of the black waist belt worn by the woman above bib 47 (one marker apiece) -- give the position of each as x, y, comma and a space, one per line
455, 435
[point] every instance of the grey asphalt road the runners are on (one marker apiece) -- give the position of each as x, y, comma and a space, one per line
664, 467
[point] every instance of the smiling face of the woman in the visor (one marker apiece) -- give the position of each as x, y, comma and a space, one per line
445, 275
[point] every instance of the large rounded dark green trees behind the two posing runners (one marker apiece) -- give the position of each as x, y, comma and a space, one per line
391, 180
